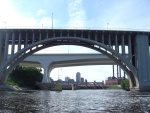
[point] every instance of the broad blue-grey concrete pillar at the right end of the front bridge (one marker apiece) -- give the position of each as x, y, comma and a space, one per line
143, 61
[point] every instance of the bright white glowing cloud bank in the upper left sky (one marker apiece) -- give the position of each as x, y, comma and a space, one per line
11, 17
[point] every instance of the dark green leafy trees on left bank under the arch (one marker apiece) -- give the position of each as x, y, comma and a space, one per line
24, 76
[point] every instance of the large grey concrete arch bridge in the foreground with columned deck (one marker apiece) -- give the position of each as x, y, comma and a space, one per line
112, 43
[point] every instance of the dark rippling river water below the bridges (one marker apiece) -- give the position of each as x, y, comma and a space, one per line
75, 101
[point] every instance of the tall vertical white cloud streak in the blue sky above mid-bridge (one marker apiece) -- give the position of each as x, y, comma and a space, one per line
76, 14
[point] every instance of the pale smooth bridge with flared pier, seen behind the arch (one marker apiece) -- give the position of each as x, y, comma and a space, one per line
50, 61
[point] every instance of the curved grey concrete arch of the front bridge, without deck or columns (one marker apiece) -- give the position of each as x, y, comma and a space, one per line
95, 45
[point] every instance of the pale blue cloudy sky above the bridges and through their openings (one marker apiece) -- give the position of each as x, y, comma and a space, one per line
79, 14
